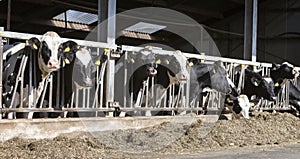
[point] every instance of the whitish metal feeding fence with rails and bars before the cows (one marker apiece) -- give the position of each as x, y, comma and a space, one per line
167, 102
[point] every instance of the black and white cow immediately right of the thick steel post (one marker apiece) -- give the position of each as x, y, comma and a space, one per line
140, 66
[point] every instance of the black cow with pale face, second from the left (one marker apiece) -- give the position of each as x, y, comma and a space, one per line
77, 73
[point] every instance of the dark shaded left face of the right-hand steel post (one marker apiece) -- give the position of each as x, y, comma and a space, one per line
248, 29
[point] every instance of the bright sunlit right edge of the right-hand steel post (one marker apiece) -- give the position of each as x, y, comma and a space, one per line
254, 30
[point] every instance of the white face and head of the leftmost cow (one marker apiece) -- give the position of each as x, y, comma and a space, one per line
48, 52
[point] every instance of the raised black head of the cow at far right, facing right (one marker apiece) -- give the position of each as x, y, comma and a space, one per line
283, 71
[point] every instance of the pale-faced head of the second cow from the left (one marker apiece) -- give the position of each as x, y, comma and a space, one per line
84, 69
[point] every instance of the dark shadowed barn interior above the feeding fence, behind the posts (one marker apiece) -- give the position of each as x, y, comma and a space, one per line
277, 23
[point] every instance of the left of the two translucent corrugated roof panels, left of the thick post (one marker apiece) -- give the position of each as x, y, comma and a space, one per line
78, 17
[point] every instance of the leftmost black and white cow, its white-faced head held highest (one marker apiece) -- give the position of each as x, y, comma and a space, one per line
44, 56
